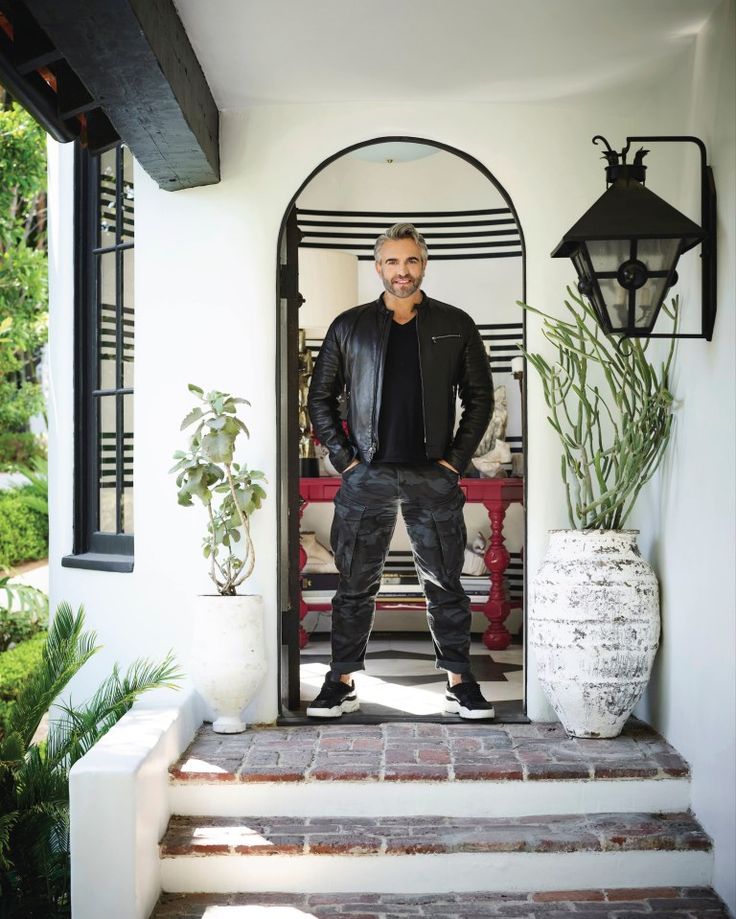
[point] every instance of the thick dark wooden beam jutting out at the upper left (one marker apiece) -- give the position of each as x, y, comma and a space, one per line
136, 62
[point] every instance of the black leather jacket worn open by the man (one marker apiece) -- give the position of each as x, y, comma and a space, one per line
452, 360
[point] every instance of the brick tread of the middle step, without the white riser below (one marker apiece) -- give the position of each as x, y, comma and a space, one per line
432, 835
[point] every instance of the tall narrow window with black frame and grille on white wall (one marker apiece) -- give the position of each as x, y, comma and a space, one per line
104, 366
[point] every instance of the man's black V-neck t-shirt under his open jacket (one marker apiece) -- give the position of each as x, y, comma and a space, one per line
401, 419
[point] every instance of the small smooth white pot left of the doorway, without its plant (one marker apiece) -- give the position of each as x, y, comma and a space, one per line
228, 656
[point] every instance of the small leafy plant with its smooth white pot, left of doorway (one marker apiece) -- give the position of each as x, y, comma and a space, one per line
229, 657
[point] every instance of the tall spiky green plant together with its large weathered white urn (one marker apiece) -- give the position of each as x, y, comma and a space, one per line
594, 620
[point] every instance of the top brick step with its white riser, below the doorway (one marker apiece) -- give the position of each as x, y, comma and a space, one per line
488, 770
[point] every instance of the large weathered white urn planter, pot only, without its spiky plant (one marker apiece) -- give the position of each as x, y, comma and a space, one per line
594, 626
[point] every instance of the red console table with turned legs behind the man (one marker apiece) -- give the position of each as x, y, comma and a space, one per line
495, 495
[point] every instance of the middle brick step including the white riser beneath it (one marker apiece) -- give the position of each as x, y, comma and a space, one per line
417, 854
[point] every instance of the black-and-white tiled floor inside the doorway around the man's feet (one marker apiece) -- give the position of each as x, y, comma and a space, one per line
400, 675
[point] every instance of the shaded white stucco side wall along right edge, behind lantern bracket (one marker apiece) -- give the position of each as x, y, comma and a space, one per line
687, 519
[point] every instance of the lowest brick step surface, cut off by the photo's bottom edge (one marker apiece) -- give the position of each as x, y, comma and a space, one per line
610, 903
